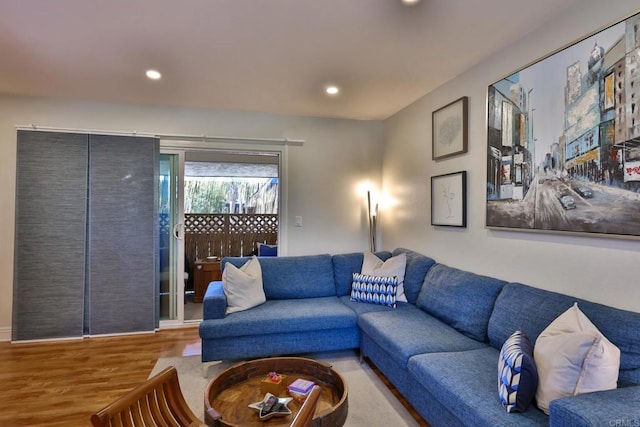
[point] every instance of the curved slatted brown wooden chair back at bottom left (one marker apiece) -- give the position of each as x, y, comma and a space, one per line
156, 402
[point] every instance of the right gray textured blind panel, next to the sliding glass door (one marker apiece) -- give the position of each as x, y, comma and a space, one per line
121, 266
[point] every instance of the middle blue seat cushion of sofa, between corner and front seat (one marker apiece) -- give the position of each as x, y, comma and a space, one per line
409, 331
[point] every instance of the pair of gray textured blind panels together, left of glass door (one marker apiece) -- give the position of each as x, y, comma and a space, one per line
86, 235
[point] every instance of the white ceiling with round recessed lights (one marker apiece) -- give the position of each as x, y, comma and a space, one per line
271, 56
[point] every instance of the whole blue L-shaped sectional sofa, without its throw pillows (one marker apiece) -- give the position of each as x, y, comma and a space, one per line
440, 349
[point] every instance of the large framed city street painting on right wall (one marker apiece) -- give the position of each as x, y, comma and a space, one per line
563, 139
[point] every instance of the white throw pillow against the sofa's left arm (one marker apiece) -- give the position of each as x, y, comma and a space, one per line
243, 286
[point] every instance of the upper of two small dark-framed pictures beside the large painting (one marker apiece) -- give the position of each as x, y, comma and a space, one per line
449, 129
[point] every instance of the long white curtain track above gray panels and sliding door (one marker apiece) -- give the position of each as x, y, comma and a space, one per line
175, 137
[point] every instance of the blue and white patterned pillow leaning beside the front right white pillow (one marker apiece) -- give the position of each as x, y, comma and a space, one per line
517, 373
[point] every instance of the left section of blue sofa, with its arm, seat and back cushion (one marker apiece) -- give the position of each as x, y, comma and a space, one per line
302, 313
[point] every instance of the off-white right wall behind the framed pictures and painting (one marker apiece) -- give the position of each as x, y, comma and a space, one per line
595, 268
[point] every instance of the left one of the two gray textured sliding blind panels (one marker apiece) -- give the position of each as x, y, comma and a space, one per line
49, 269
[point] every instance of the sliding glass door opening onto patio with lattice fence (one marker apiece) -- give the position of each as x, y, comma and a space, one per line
213, 202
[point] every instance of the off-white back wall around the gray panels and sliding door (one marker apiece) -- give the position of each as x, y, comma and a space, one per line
323, 175
